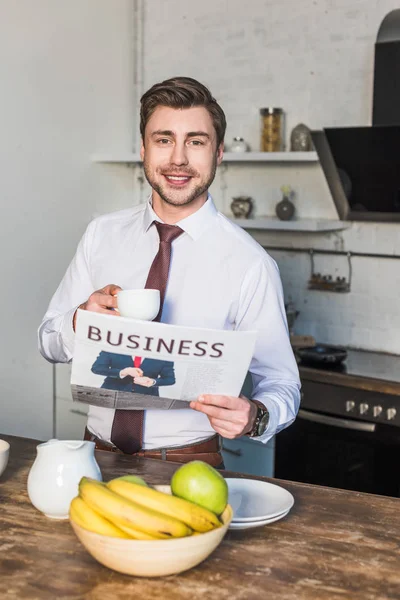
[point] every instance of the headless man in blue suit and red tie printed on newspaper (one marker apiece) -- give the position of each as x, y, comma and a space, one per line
140, 376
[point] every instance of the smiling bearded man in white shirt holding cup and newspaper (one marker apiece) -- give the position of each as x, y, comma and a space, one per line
218, 277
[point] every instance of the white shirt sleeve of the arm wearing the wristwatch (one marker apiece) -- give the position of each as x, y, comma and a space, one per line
275, 375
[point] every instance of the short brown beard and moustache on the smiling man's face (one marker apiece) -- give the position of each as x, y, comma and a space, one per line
178, 197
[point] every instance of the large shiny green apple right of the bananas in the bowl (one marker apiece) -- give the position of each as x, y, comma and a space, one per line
201, 484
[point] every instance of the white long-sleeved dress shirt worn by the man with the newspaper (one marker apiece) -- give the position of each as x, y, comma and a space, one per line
219, 278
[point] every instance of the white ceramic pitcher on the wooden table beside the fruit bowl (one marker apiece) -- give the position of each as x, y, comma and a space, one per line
54, 477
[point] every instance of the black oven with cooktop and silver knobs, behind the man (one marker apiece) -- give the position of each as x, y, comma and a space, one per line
347, 432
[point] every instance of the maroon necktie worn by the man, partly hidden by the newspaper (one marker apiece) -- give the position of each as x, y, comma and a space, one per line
127, 428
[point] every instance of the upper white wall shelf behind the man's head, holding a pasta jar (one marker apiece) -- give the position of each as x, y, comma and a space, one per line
134, 158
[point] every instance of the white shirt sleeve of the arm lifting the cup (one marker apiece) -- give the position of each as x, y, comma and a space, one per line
56, 334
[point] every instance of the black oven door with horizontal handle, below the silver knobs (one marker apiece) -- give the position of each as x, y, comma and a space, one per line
343, 453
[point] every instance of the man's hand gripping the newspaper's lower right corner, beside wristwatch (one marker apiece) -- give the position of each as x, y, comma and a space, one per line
229, 416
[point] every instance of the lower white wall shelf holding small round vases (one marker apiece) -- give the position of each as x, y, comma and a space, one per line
295, 225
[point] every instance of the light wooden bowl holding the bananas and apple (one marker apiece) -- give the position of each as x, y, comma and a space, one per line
153, 558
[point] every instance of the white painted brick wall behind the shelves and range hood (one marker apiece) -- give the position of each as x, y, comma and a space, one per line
314, 58
